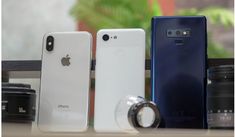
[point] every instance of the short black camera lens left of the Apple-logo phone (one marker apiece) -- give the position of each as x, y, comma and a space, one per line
18, 103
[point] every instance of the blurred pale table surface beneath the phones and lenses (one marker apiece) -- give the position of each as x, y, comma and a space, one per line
28, 130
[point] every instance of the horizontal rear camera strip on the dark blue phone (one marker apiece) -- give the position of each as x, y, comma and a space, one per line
178, 32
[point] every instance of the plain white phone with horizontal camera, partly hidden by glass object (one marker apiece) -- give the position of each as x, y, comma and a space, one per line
120, 71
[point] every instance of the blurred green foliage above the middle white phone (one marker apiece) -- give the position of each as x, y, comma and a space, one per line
99, 14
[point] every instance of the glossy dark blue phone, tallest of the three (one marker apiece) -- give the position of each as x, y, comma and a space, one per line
178, 70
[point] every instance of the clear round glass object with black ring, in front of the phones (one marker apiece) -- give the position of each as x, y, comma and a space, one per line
135, 112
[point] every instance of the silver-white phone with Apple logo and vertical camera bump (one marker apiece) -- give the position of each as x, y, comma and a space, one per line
65, 82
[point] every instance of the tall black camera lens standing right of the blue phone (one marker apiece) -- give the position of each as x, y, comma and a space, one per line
220, 97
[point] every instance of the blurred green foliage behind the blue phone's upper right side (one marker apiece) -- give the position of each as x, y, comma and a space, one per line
215, 16
